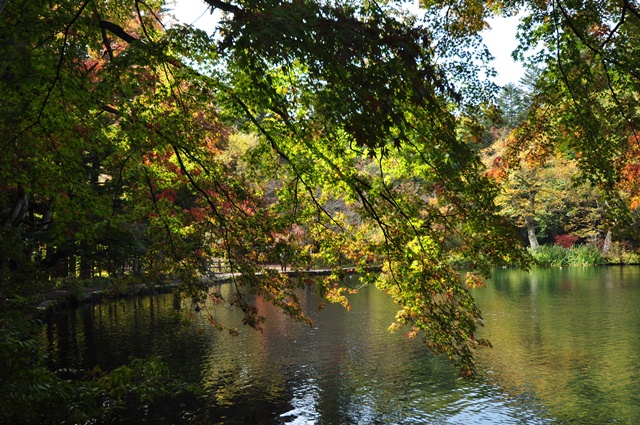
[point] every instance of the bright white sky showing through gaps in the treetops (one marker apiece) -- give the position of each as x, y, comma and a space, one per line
500, 39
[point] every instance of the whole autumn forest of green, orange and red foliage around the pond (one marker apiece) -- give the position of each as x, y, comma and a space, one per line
346, 134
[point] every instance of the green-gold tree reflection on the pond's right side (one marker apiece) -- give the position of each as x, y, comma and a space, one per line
571, 342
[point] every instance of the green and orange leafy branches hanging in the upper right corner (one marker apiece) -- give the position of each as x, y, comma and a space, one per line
589, 91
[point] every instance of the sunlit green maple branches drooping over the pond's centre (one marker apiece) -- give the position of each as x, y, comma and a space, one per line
294, 95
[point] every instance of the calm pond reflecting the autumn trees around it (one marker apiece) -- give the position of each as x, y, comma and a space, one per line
566, 350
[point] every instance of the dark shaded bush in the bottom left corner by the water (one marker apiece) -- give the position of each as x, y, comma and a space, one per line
30, 393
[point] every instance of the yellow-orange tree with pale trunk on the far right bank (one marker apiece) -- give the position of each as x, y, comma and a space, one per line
543, 195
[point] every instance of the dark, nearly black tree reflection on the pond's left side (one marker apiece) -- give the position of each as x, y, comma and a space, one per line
108, 334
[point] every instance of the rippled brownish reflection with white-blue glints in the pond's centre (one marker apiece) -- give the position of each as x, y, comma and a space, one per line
347, 365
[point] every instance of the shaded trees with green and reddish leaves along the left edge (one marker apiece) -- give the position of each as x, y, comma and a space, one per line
87, 93
